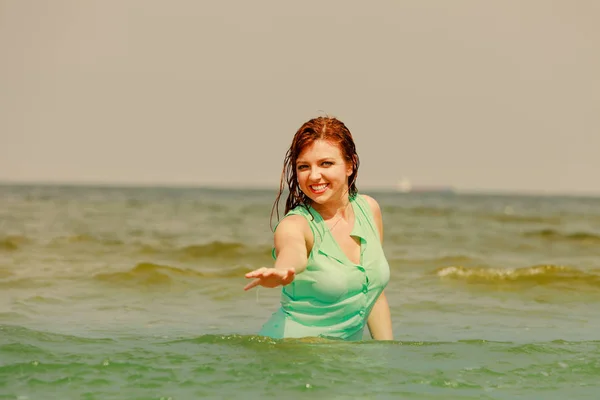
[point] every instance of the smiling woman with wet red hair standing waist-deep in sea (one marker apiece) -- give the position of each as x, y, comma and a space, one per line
328, 254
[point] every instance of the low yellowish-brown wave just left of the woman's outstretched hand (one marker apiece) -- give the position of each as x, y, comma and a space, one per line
151, 274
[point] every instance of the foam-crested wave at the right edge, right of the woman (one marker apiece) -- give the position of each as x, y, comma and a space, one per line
538, 274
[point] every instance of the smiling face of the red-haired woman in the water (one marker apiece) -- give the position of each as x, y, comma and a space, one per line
323, 172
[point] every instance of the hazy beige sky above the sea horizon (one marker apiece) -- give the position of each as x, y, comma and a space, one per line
500, 95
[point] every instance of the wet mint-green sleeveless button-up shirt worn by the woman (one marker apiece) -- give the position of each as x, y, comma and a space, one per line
333, 296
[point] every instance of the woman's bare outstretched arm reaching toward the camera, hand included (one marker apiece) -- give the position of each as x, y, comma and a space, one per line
291, 251
